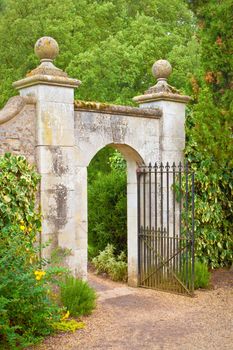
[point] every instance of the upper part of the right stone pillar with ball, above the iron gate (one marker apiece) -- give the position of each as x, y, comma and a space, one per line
172, 104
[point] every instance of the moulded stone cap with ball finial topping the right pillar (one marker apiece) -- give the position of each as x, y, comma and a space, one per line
161, 70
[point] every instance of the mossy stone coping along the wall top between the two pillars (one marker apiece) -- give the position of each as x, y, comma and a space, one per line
97, 107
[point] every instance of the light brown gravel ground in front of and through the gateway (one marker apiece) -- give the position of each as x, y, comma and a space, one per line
136, 318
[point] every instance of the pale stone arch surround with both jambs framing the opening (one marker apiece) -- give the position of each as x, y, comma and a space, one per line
133, 160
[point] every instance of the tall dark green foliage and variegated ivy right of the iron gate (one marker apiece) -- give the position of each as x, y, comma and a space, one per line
209, 135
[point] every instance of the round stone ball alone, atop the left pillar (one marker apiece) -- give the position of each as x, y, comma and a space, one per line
46, 48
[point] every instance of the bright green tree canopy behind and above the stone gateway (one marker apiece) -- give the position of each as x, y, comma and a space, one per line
109, 45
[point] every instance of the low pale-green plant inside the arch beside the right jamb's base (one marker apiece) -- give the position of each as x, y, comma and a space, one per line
114, 266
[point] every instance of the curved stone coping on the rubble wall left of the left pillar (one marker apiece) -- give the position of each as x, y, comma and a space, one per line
14, 106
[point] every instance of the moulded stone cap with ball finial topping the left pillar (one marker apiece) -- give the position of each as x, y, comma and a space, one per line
46, 49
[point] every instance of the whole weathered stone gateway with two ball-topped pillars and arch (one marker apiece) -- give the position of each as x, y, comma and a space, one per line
61, 136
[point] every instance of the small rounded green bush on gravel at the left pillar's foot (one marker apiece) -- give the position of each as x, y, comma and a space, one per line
77, 296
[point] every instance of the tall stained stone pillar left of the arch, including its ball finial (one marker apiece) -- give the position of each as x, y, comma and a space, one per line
55, 148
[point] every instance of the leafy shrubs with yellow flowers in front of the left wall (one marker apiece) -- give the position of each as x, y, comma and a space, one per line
26, 309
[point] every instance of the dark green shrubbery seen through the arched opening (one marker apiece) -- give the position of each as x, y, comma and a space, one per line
107, 205
